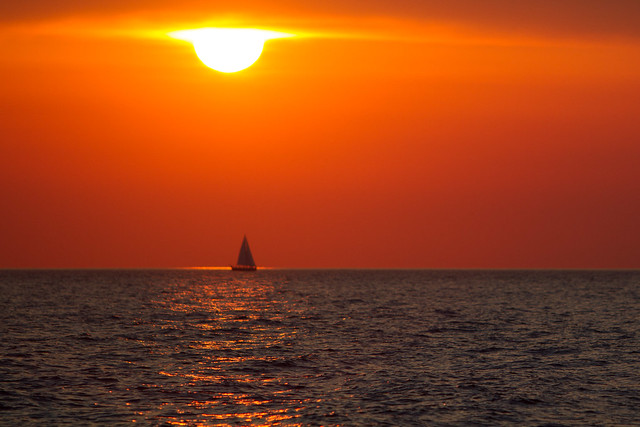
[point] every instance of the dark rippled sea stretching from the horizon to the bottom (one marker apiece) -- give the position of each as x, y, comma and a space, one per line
325, 347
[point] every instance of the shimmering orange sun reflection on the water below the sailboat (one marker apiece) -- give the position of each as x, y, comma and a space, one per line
231, 361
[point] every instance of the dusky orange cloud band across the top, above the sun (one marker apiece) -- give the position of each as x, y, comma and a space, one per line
497, 19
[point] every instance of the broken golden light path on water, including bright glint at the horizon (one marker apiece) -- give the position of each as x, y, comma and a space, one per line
232, 323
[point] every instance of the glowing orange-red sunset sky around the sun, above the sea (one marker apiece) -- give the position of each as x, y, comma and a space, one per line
491, 134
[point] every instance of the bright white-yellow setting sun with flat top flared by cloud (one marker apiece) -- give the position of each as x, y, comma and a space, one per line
228, 49
